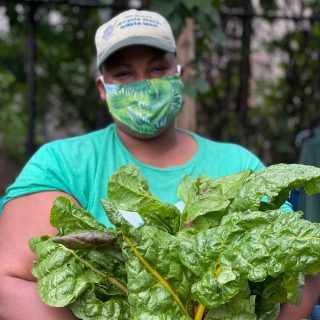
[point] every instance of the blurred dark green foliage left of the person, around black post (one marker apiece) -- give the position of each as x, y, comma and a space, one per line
67, 100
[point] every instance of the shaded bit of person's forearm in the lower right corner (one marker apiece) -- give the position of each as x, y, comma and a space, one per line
310, 295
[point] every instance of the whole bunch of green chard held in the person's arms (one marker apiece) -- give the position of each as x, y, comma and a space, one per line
231, 254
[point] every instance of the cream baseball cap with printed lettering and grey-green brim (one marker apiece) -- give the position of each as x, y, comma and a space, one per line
133, 27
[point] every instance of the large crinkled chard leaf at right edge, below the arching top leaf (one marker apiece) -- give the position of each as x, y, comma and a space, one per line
264, 251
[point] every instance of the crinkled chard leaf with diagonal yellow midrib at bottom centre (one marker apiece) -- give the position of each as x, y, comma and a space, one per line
159, 287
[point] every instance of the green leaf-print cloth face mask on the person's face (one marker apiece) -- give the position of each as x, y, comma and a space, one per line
145, 106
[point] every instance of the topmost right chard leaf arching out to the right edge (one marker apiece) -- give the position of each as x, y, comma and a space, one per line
275, 183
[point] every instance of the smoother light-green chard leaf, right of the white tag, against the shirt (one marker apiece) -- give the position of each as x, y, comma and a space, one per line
211, 197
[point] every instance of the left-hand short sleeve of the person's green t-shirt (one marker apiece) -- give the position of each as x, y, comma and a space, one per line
43, 172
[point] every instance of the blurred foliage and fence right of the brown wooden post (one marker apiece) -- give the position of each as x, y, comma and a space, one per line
264, 113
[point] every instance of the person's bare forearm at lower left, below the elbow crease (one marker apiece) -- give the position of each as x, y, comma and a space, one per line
19, 300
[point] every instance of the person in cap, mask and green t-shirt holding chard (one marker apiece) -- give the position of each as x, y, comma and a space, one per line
139, 80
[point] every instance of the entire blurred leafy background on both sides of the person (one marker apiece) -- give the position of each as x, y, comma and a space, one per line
262, 112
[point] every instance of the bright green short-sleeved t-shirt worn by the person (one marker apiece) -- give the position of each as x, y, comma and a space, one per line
81, 166
